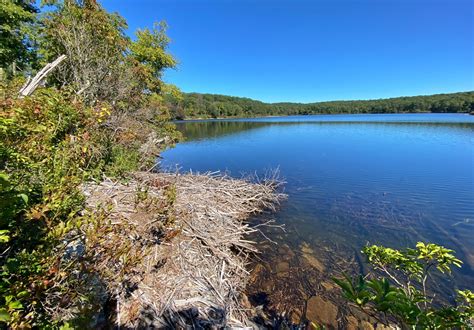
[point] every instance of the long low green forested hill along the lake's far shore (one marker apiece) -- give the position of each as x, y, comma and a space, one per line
195, 105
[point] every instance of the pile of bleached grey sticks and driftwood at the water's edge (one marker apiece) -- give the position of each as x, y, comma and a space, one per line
176, 252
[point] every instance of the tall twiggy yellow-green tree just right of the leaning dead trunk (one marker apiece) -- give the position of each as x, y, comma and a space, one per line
95, 44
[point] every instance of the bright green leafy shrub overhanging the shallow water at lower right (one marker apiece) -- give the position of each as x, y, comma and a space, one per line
401, 290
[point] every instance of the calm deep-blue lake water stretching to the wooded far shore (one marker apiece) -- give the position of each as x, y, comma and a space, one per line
350, 179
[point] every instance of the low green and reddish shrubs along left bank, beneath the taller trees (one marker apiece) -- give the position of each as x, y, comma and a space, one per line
51, 143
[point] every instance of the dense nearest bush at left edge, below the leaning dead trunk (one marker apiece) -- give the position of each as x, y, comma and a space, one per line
45, 153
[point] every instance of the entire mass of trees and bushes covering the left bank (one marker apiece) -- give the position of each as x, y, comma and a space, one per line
102, 113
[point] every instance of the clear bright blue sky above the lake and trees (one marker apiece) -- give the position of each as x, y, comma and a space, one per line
319, 50
